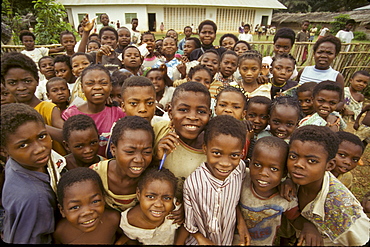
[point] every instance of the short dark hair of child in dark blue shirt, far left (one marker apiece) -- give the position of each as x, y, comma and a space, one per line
13, 116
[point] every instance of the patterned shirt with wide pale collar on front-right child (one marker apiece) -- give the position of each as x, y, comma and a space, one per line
338, 215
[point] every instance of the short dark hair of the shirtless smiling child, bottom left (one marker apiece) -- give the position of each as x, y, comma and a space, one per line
77, 175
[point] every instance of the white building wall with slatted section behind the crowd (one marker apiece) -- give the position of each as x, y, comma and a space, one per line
227, 19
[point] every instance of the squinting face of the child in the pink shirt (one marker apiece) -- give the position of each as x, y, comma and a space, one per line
96, 86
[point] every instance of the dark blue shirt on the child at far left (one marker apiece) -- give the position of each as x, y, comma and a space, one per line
29, 203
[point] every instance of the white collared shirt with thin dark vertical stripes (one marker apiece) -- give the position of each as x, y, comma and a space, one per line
210, 204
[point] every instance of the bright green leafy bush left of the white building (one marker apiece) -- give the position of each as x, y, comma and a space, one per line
50, 17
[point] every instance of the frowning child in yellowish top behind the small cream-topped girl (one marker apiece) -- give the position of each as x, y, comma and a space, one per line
132, 145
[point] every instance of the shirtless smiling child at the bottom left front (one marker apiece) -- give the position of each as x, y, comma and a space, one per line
80, 194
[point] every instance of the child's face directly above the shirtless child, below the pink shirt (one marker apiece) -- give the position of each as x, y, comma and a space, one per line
84, 145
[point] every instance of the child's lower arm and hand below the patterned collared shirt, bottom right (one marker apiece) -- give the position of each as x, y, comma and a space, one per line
309, 233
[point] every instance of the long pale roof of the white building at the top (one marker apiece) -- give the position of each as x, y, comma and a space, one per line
274, 4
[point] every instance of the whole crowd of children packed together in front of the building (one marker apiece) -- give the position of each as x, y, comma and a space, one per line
125, 139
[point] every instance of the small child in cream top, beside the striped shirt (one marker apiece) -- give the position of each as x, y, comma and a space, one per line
147, 222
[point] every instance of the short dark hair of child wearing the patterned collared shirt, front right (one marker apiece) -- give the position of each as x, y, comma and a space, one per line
321, 135
